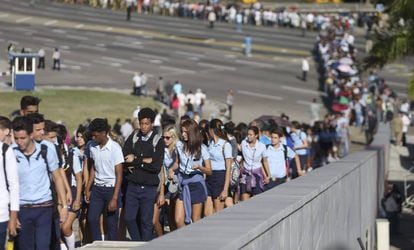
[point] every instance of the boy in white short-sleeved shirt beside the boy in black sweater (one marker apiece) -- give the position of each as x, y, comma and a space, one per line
105, 179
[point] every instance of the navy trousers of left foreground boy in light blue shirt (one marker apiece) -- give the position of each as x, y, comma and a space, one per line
36, 228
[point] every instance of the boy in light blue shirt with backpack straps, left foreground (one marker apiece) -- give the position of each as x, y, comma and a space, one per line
35, 162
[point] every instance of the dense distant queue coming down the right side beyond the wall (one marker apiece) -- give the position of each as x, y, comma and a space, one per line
361, 103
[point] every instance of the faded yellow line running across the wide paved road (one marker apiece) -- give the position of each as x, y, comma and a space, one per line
130, 31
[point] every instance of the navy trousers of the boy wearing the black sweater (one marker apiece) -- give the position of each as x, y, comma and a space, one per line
140, 199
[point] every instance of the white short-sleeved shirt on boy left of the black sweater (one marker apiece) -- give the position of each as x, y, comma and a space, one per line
105, 159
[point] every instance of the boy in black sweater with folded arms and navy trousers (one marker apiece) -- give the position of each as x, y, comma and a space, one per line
144, 156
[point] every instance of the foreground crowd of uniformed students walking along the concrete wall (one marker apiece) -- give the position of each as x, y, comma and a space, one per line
139, 180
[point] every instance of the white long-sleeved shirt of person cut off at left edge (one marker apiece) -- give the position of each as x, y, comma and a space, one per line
8, 198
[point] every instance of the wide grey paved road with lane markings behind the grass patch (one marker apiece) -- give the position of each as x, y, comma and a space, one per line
100, 49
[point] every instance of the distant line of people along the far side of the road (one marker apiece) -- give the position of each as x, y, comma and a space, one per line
254, 15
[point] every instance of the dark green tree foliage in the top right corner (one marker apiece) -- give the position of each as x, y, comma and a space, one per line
396, 39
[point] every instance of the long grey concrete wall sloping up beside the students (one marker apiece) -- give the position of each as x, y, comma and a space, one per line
329, 208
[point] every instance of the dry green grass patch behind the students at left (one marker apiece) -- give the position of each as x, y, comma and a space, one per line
73, 107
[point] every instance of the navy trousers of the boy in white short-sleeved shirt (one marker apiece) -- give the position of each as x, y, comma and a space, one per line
98, 204
